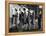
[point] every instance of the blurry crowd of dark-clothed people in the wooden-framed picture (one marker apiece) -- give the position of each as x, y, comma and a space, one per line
24, 19
